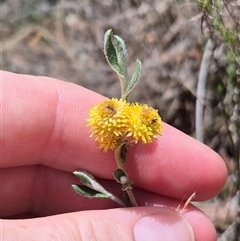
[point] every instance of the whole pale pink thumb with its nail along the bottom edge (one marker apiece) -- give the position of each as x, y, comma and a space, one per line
142, 223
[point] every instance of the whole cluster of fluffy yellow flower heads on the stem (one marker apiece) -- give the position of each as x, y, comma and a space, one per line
114, 120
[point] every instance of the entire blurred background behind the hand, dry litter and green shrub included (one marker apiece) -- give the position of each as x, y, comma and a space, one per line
63, 39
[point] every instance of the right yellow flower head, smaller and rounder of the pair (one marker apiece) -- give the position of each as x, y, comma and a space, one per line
143, 123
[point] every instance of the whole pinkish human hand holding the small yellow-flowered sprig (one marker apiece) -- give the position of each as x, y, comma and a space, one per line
44, 139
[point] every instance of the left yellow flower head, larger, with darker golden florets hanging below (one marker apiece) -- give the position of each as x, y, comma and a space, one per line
107, 122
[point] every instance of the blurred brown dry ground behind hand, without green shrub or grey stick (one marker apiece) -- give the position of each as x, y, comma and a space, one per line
64, 40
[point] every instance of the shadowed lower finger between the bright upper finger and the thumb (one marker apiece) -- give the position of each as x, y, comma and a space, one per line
43, 191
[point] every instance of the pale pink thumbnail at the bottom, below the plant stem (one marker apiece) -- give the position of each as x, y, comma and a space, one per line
167, 225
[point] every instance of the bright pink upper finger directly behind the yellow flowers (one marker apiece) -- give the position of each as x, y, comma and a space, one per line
45, 123
